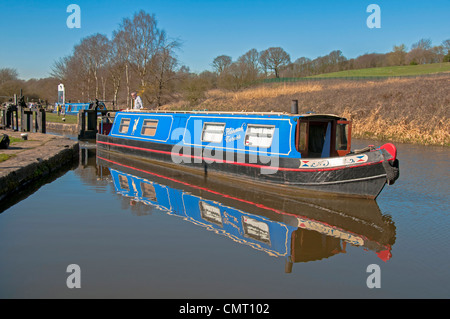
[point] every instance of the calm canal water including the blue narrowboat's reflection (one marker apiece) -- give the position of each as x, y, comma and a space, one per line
138, 231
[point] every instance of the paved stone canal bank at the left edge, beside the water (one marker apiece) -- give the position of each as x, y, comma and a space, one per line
32, 159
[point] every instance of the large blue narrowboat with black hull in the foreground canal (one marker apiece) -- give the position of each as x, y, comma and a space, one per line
308, 152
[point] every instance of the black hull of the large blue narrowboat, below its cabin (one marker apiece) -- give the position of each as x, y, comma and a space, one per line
364, 181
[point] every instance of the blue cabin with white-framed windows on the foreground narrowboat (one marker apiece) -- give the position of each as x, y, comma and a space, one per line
271, 134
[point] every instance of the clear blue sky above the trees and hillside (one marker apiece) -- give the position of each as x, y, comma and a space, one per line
34, 34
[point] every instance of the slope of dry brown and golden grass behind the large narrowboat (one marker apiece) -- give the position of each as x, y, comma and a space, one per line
411, 110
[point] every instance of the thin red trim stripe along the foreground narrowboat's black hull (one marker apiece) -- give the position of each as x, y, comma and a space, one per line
237, 163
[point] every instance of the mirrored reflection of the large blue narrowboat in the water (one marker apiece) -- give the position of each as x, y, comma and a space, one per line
300, 229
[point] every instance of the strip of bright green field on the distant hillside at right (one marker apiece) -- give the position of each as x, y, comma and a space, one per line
406, 70
